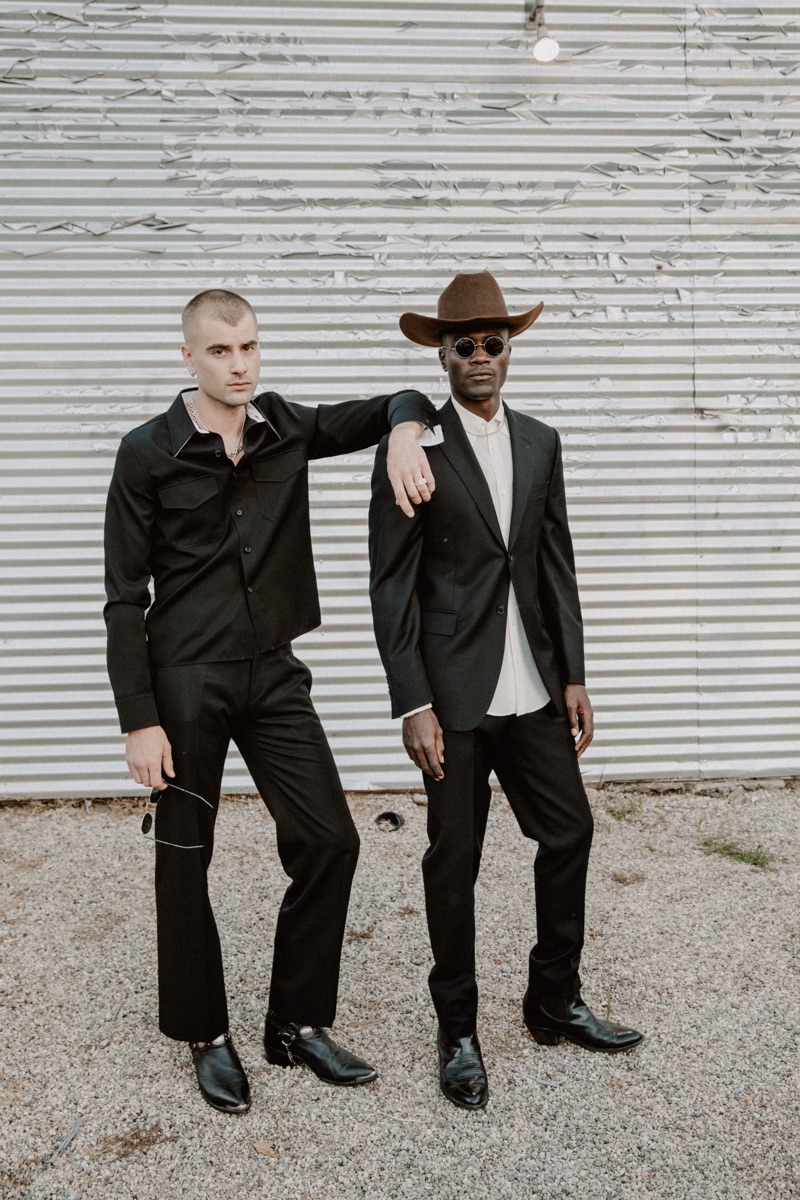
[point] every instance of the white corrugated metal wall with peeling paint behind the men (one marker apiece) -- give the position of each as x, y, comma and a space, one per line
336, 163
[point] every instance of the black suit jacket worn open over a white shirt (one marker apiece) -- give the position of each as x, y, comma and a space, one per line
440, 581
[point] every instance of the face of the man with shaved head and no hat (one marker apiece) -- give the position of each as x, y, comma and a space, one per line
225, 358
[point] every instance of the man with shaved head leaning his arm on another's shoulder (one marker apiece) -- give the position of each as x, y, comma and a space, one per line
210, 502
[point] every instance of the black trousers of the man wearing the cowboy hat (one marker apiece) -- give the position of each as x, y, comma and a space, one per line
536, 761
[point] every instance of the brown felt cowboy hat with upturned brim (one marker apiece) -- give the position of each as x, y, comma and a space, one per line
474, 298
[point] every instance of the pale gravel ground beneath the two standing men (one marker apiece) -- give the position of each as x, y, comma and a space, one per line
700, 951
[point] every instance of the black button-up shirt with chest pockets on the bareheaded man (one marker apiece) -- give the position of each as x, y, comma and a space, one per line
227, 548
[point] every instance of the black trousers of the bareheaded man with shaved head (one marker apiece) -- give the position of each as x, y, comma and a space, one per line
264, 706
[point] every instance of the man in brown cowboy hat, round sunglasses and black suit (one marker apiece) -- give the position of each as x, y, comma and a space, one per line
478, 622
